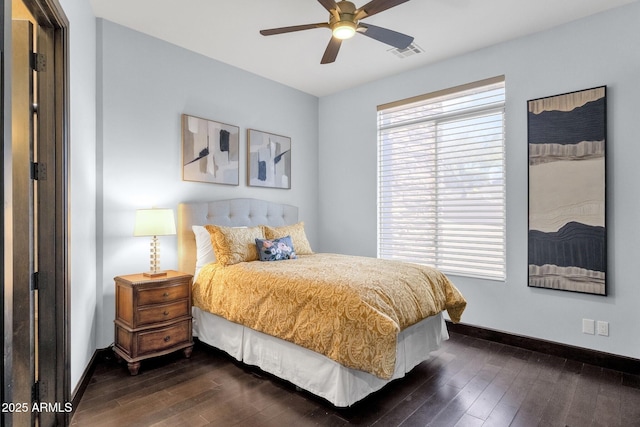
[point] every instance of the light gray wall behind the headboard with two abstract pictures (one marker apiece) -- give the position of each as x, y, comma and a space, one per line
144, 85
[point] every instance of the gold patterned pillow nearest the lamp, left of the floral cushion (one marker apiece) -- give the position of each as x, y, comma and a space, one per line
233, 245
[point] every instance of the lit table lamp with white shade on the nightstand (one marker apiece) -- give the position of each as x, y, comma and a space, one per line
154, 222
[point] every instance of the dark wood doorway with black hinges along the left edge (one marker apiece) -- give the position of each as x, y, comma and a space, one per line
38, 348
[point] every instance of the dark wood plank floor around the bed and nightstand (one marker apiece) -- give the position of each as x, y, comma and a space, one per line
468, 382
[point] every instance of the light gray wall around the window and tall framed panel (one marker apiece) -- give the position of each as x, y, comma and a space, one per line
599, 50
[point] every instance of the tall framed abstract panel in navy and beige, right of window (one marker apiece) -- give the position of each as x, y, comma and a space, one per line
567, 246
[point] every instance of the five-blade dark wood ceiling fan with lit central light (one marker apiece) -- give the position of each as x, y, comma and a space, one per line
344, 22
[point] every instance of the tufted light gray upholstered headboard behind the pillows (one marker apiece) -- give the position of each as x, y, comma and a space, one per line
229, 213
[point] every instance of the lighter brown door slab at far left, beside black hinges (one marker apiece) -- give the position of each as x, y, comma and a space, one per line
22, 125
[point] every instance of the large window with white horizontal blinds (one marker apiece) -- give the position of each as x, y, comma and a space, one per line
441, 180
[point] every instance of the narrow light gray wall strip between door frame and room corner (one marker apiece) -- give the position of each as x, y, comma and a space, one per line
82, 184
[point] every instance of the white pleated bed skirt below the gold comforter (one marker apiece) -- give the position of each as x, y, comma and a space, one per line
312, 371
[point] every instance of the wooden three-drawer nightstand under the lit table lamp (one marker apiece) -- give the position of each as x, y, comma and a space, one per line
153, 316
